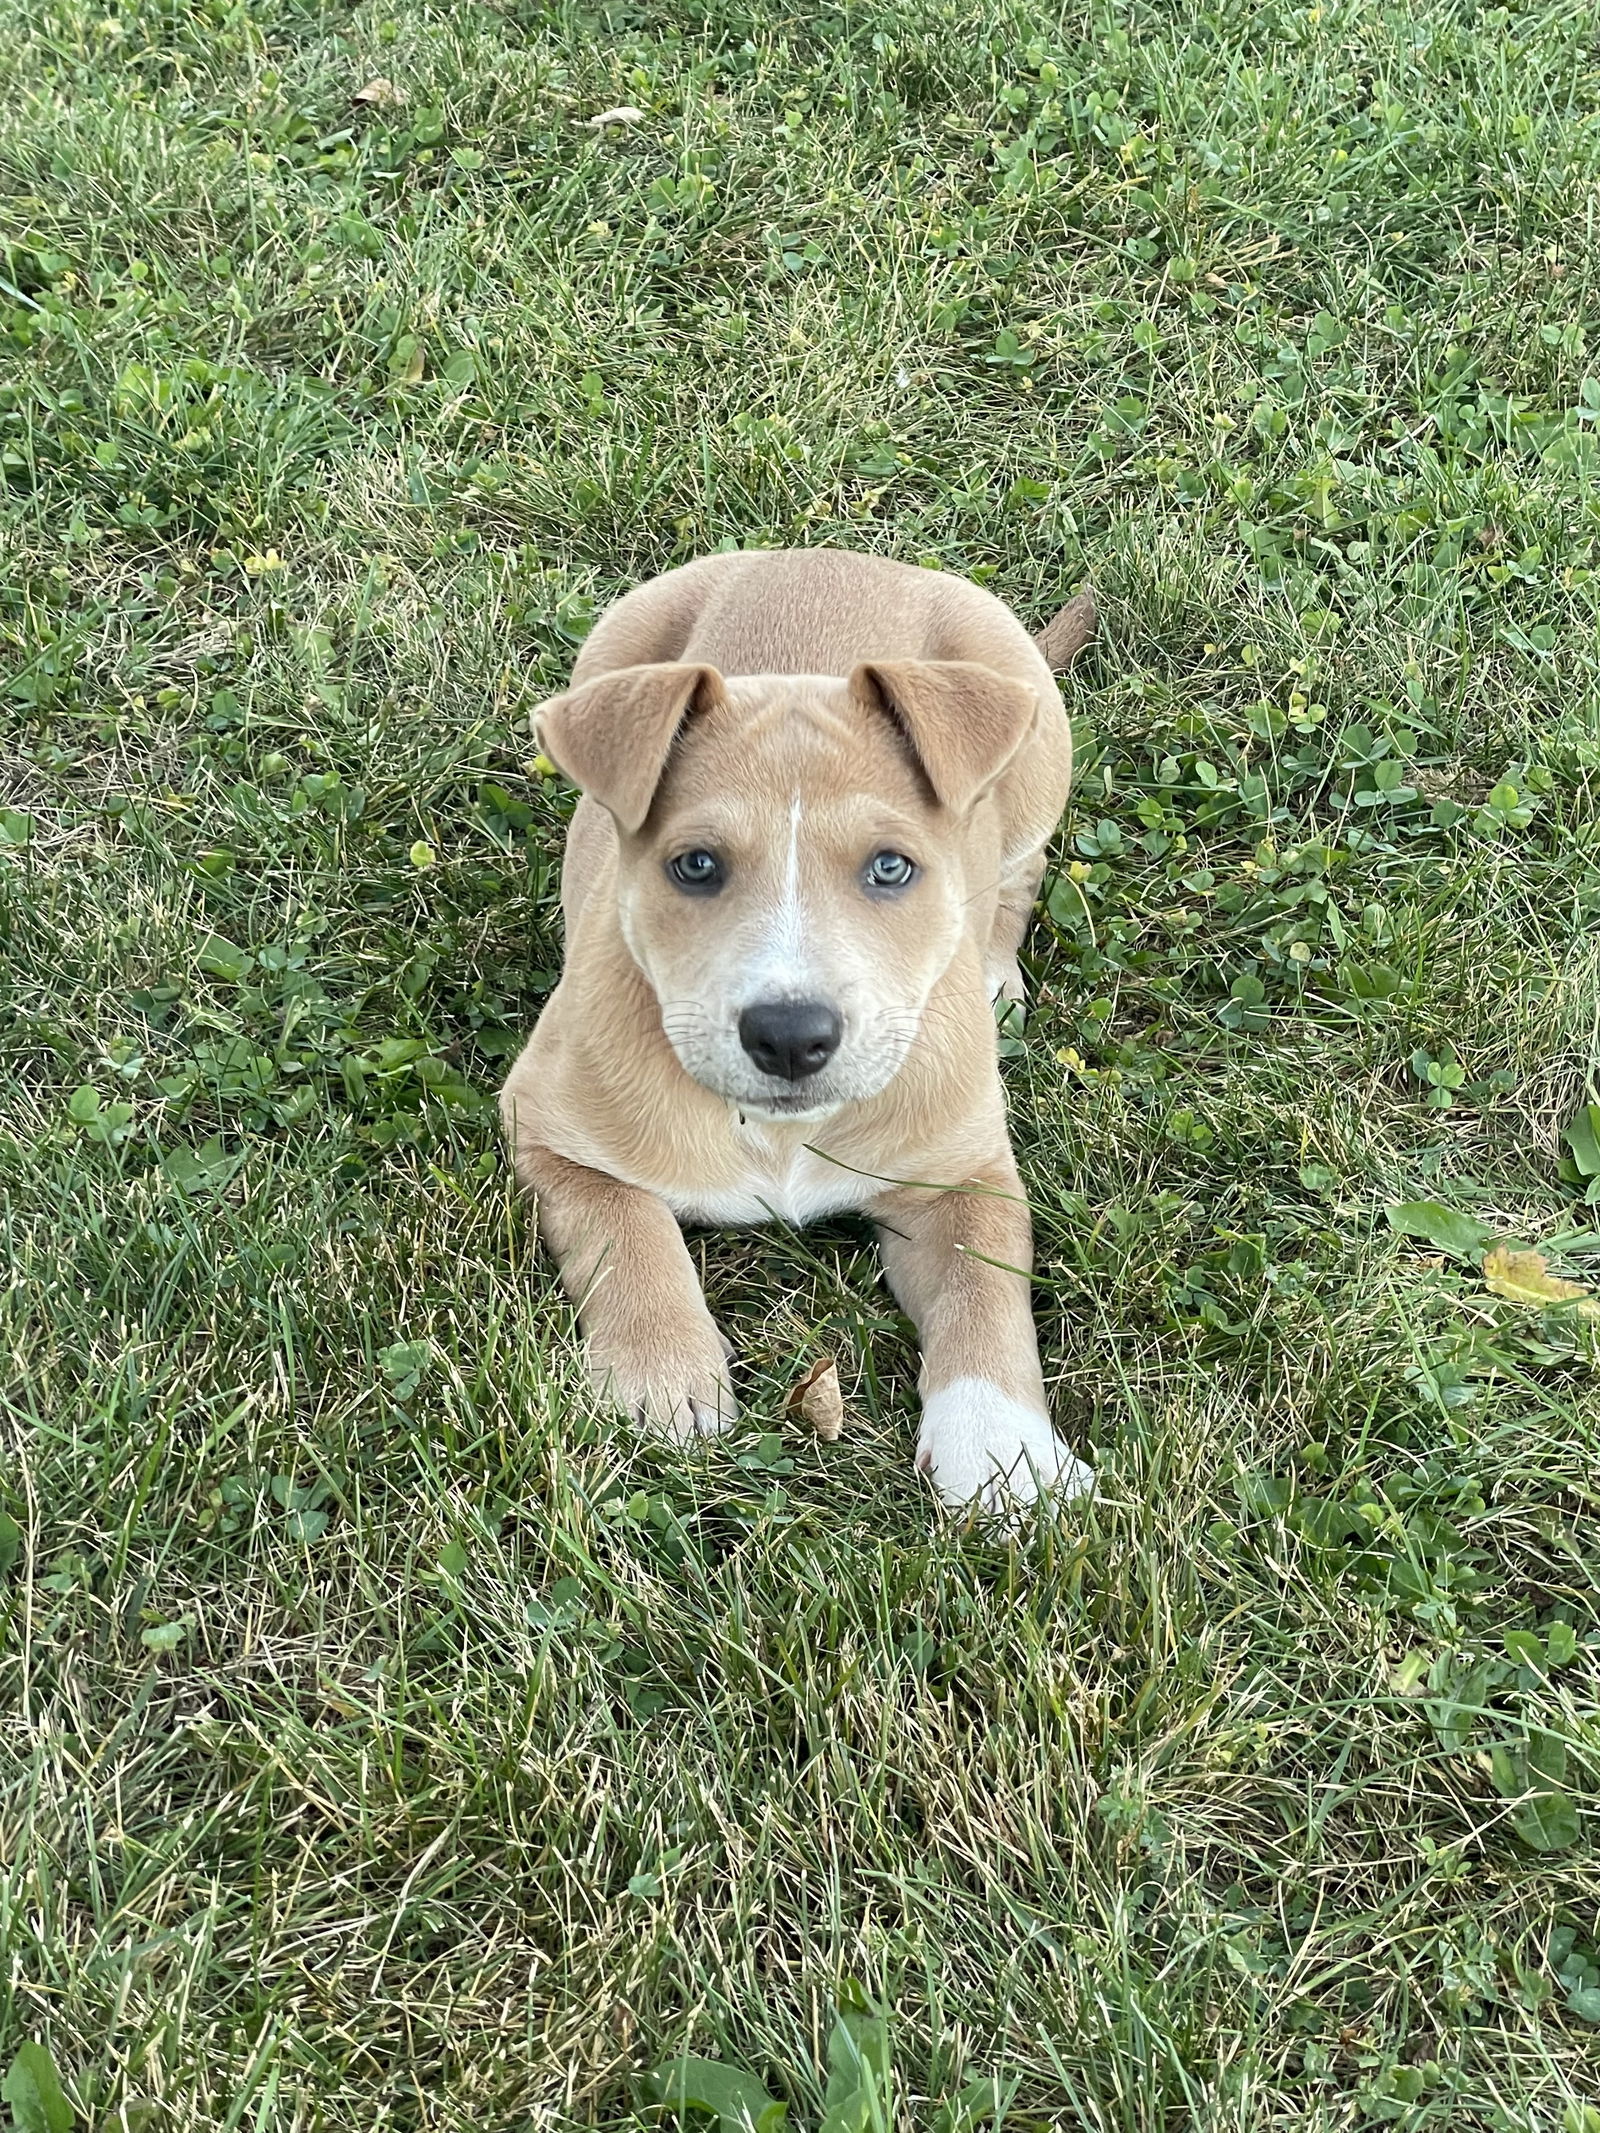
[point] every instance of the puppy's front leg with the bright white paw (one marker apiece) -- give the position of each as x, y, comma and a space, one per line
959, 1264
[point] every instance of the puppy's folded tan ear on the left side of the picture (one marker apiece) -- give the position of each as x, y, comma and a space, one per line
615, 733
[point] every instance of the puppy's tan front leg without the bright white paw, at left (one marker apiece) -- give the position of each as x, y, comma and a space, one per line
652, 1343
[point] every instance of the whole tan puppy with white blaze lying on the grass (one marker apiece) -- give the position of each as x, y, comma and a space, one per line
816, 799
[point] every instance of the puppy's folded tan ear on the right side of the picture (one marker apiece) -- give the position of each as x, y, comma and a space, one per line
963, 722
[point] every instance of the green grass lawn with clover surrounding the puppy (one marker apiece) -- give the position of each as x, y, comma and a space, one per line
387, 1739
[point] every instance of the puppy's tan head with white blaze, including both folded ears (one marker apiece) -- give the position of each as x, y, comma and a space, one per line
795, 856
